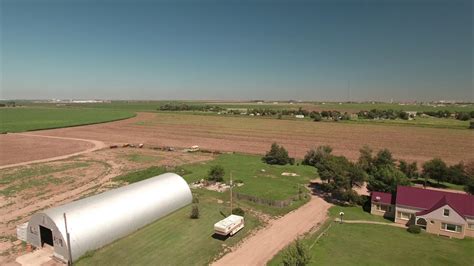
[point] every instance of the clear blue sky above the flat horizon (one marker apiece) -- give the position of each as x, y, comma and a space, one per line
302, 50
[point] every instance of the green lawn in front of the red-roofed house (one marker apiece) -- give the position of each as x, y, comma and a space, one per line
370, 244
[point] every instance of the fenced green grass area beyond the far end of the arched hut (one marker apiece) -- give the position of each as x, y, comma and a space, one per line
248, 169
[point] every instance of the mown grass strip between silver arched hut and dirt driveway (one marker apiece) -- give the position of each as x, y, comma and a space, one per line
173, 240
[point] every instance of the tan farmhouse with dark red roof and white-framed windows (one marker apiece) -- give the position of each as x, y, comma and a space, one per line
438, 212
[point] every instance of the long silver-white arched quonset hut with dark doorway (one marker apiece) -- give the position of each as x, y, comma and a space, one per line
98, 220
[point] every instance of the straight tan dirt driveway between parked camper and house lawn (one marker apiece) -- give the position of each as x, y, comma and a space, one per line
261, 247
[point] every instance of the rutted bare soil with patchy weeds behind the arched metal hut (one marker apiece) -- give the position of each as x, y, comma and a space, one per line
28, 189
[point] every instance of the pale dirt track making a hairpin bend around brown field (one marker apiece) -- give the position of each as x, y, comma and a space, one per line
88, 146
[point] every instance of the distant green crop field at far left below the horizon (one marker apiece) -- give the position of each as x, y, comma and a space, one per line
20, 119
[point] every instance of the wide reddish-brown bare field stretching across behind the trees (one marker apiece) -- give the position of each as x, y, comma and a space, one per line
255, 135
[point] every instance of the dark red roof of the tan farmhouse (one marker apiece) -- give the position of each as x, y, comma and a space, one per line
429, 200
